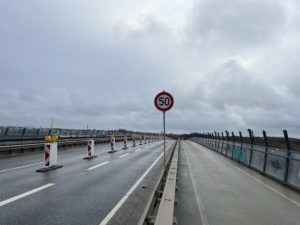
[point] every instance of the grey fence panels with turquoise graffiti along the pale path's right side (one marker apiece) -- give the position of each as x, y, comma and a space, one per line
283, 166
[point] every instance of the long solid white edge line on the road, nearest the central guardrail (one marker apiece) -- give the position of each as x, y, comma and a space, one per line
121, 202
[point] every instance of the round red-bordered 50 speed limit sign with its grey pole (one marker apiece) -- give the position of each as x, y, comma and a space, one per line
164, 101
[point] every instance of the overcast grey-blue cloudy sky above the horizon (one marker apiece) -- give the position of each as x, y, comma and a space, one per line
230, 64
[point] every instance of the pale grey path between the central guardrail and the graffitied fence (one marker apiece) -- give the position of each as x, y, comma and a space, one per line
214, 190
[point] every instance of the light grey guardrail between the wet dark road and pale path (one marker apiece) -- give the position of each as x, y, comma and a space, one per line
165, 213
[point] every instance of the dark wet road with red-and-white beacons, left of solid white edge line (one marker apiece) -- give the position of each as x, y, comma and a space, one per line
82, 192
